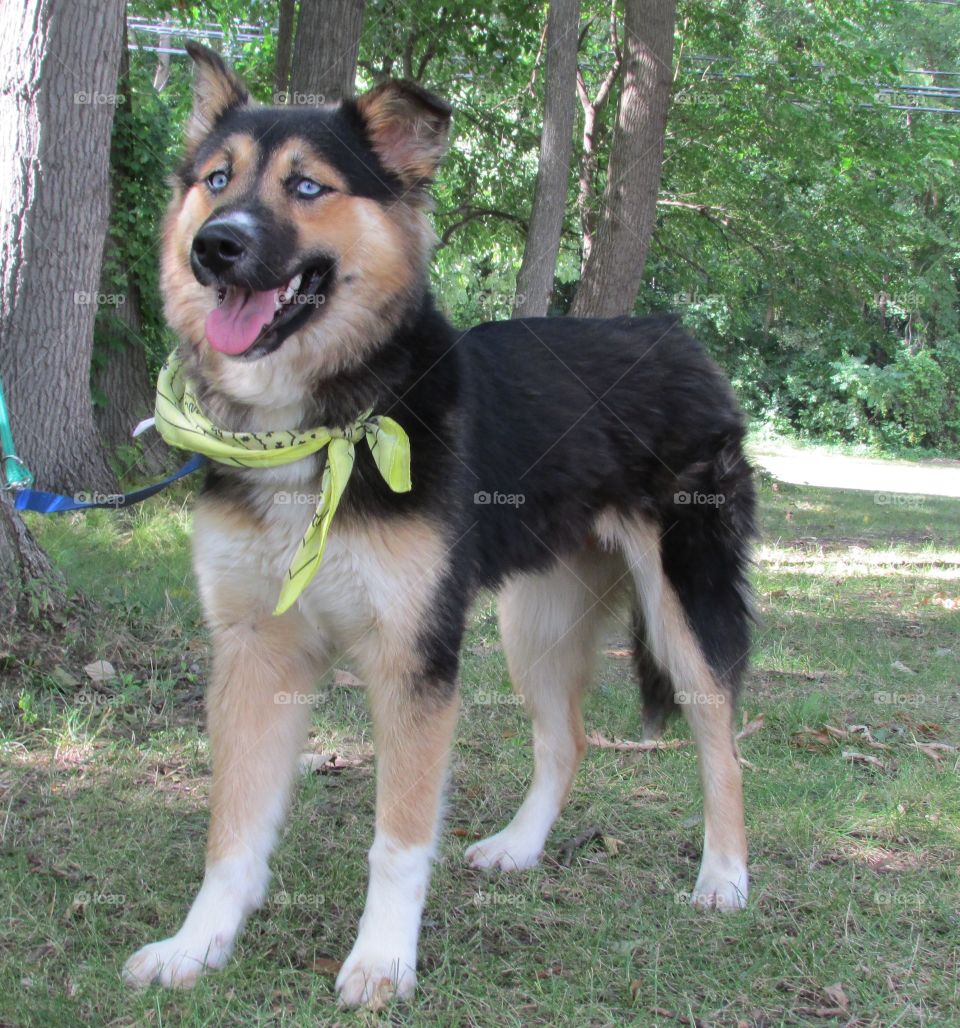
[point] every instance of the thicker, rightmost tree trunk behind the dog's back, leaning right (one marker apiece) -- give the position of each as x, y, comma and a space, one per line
614, 272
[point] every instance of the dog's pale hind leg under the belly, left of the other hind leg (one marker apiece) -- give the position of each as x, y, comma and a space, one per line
549, 626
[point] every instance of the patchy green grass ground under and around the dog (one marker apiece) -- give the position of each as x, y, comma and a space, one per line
854, 917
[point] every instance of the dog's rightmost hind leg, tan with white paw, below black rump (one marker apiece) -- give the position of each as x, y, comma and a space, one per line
706, 692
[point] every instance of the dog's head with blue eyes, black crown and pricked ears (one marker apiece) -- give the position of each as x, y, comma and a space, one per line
298, 238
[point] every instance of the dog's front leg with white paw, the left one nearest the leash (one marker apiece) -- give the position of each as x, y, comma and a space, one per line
263, 678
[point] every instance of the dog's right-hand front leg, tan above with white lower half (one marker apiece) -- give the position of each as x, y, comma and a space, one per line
414, 728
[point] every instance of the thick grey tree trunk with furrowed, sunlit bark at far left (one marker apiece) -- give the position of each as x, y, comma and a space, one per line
58, 74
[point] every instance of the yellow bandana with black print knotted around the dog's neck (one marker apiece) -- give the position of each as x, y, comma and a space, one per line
182, 423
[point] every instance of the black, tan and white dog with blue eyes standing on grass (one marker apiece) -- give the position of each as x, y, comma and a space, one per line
561, 462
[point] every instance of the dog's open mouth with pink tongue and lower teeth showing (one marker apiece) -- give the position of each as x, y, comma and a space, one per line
253, 323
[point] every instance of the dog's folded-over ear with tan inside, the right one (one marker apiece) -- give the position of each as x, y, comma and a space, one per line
409, 129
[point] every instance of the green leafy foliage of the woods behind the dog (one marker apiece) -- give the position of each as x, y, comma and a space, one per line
807, 232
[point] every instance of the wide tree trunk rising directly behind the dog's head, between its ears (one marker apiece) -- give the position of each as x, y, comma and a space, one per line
325, 51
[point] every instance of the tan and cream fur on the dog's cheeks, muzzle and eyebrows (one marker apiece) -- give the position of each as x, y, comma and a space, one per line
380, 252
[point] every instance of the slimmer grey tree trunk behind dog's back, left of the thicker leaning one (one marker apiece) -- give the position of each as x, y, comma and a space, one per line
535, 281
